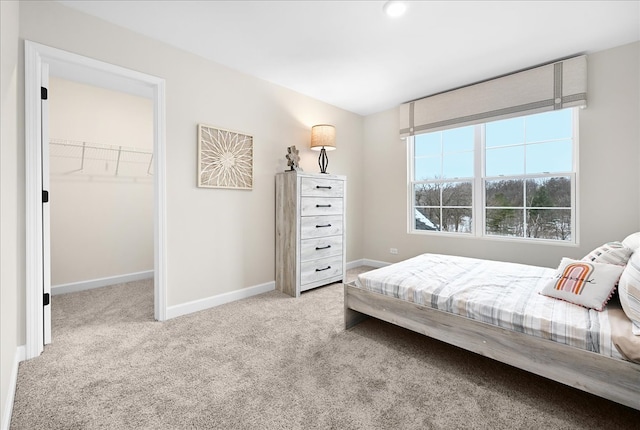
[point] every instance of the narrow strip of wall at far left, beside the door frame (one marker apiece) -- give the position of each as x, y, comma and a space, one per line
10, 246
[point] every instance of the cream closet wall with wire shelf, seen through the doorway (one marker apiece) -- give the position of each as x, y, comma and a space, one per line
101, 223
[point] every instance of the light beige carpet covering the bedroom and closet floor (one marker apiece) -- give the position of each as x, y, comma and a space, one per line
274, 362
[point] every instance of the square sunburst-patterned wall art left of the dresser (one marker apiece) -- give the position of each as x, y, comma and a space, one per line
225, 158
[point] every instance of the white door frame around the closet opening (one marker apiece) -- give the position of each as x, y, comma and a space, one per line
34, 56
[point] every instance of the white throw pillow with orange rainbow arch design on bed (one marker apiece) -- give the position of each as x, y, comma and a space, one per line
583, 283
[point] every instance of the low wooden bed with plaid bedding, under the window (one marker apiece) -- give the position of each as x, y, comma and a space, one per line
503, 311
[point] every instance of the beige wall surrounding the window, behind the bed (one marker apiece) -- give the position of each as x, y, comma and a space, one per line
609, 197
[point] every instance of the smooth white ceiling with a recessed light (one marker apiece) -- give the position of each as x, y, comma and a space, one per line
349, 54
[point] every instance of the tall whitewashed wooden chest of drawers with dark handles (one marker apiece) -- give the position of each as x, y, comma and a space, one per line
310, 230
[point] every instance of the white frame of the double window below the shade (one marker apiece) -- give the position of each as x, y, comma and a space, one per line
478, 227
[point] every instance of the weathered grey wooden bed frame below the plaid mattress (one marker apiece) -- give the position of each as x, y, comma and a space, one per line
613, 379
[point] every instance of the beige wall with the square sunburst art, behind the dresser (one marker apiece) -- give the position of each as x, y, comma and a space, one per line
218, 240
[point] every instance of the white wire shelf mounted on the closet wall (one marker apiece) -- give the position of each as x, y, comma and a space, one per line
95, 158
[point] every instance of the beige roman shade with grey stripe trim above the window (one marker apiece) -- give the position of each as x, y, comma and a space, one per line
553, 86
